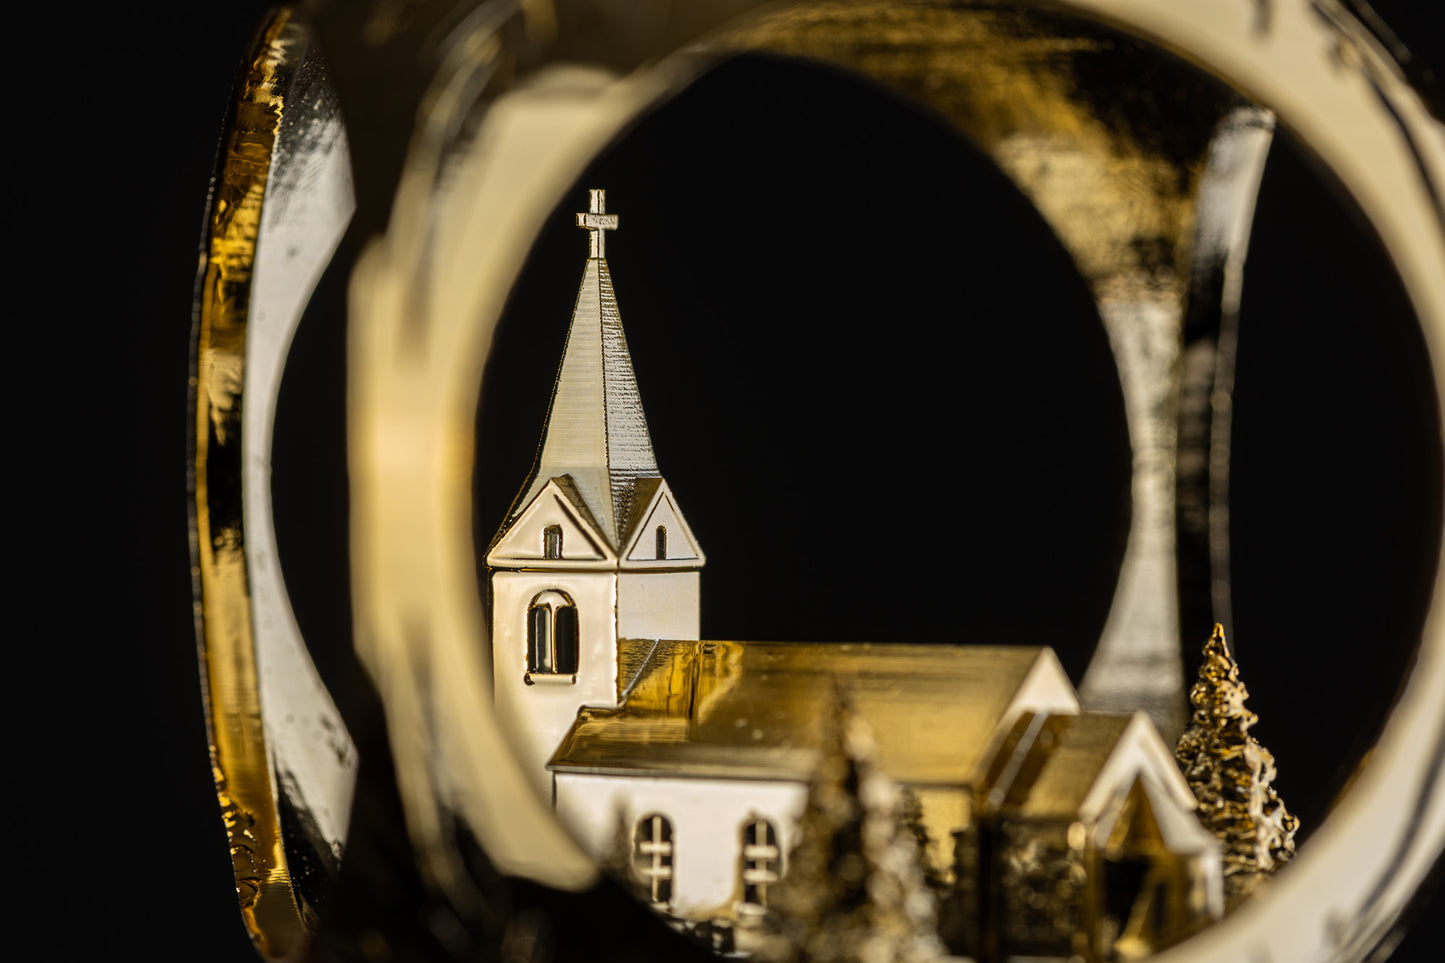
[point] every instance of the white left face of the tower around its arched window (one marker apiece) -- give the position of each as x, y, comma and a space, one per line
538, 716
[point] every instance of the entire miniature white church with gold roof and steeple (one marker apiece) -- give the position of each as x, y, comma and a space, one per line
1058, 832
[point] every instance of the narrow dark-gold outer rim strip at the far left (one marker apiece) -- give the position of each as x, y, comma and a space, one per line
241, 761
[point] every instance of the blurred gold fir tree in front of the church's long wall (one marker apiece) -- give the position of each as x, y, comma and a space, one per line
853, 891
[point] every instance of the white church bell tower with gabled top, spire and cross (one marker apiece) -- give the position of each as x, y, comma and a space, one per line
595, 549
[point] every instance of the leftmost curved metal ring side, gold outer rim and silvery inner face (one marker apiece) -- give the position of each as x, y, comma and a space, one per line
282, 761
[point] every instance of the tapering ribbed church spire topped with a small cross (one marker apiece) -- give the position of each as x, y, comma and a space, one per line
596, 430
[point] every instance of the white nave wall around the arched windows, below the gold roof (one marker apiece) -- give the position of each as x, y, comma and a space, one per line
707, 826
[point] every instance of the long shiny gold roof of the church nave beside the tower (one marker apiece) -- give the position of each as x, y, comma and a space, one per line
755, 711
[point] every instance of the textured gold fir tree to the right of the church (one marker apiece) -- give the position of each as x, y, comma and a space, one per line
1230, 774
